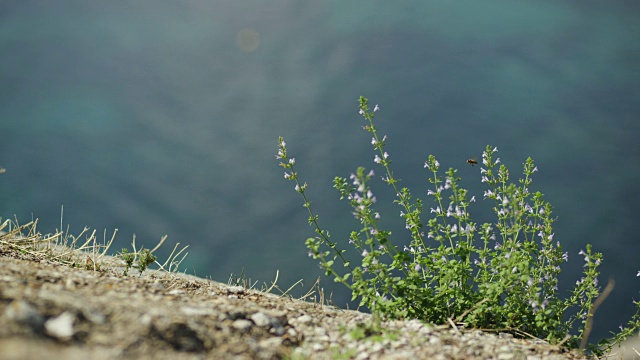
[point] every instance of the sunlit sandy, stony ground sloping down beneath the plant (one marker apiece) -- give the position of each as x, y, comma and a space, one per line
54, 311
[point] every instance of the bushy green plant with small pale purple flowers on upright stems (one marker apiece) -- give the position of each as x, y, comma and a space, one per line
494, 276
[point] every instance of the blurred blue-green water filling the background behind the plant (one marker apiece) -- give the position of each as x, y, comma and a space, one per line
162, 118
